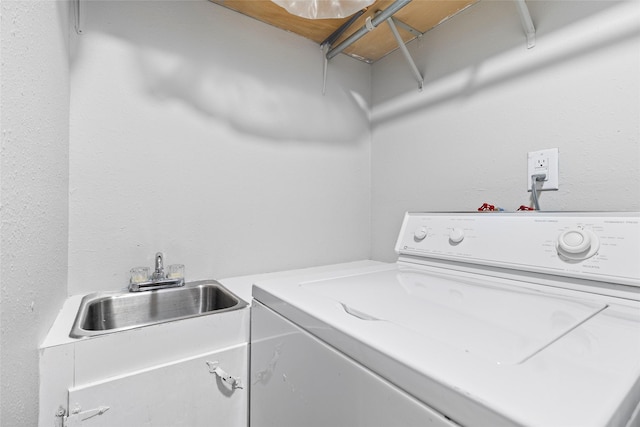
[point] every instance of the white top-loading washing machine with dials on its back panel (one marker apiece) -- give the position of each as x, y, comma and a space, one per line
486, 319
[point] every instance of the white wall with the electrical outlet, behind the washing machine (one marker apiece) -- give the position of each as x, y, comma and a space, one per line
488, 101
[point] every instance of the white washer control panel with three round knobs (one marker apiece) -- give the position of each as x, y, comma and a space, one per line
595, 246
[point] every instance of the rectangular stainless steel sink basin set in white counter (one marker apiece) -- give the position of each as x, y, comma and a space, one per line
108, 312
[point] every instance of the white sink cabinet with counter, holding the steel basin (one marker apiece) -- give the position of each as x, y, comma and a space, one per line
161, 375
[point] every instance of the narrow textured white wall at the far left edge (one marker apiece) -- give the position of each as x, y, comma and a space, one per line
34, 121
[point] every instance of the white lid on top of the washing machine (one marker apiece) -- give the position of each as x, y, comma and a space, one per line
500, 324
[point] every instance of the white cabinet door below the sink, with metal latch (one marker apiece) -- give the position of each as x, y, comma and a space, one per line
182, 393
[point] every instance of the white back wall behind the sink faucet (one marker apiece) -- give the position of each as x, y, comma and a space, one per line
202, 133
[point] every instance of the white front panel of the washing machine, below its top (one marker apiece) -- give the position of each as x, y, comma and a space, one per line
298, 380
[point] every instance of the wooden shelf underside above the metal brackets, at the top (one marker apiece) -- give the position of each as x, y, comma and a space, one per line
422, 15
